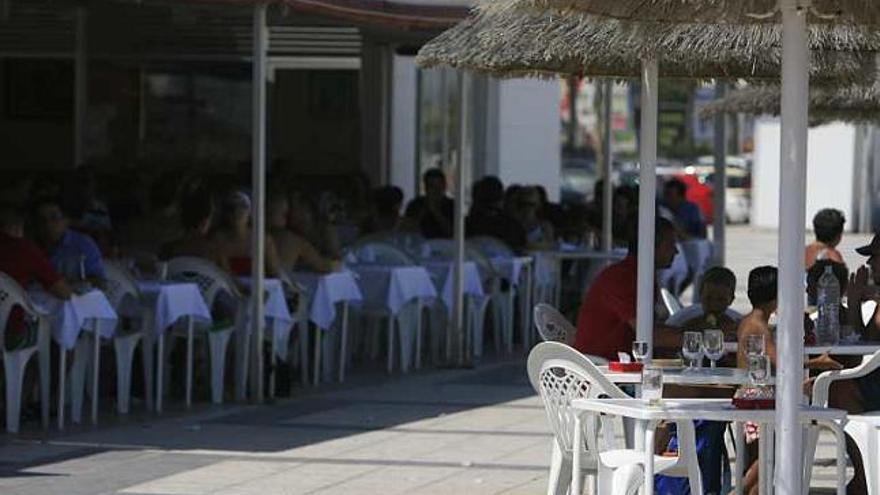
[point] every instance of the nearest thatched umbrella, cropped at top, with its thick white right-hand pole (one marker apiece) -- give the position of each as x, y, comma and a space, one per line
795, 15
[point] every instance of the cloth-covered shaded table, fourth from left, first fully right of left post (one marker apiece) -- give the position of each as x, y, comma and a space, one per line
324, 292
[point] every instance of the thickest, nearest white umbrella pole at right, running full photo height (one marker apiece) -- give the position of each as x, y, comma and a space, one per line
792, 213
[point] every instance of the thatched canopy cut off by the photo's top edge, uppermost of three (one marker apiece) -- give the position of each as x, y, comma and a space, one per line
749, 11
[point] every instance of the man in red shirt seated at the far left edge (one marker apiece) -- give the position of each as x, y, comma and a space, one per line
26, 264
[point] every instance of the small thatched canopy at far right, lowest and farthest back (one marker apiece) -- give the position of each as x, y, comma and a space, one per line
850, 104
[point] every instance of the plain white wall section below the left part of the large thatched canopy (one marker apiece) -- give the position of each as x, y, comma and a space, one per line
528, 134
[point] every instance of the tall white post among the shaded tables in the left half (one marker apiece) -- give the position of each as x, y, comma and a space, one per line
259, 189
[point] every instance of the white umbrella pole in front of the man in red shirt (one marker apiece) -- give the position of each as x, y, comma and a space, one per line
647, 203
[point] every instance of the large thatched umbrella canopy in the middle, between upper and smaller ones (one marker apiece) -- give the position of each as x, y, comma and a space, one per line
519, 41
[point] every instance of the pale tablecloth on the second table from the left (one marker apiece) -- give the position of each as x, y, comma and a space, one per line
168, 302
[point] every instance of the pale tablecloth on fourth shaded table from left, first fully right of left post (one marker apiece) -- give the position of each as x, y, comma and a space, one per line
325, 291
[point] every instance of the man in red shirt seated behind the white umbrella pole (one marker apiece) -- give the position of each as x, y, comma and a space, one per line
607, 318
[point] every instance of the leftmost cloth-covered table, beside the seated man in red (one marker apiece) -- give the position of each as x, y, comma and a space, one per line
92, 312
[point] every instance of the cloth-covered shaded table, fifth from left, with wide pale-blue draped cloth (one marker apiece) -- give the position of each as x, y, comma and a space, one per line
400, 292
